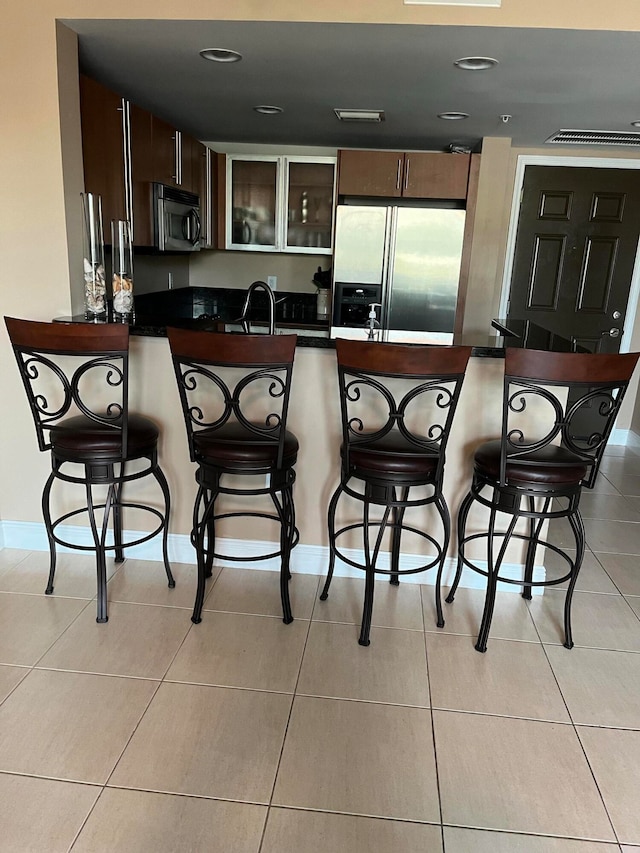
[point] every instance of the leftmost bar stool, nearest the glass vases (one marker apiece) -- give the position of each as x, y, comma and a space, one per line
76, 379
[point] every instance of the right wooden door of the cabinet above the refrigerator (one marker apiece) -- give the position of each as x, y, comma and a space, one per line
435, 175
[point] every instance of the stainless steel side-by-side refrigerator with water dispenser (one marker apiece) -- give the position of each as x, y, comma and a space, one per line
405, 260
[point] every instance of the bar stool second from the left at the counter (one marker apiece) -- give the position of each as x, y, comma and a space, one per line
234, 391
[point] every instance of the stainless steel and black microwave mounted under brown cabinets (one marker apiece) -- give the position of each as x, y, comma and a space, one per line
176, 219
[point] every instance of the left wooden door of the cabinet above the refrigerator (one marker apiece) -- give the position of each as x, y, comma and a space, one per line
372, 173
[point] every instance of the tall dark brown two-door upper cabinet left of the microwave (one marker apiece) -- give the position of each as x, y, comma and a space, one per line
116, 149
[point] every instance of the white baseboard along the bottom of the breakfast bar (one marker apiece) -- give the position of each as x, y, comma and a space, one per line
305, 559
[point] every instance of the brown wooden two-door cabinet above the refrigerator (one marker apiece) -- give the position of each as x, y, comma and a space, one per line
412, 174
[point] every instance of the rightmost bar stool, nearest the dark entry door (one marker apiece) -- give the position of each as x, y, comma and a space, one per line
558, 412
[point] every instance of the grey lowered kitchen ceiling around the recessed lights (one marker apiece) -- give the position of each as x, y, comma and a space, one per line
546, 80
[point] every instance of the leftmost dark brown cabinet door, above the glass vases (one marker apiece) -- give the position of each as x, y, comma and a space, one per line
103, 149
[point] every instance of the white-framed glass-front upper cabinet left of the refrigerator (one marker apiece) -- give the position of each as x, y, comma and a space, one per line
279, 204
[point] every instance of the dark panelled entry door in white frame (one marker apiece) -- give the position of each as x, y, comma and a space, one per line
575, 252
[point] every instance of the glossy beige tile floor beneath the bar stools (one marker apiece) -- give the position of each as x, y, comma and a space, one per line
245, 735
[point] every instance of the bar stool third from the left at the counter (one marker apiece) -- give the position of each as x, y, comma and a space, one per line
397, 403
